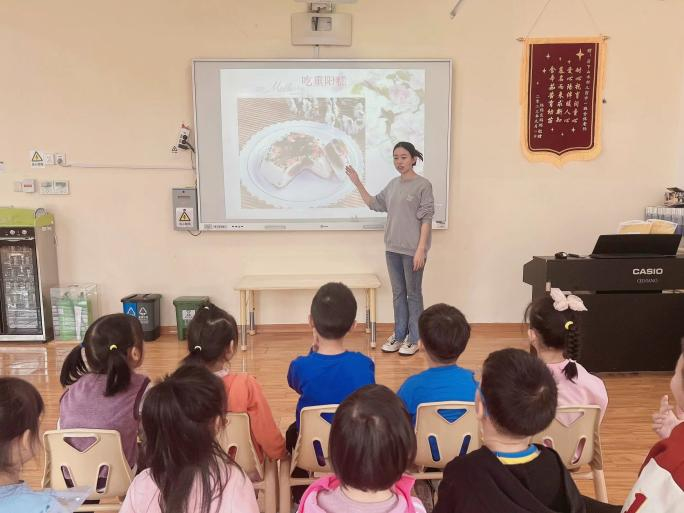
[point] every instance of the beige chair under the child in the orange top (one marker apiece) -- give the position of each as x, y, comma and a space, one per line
236, 440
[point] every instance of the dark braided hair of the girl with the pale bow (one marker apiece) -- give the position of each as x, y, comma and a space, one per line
558, 330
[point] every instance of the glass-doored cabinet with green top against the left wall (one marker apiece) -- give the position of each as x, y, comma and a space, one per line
28, 269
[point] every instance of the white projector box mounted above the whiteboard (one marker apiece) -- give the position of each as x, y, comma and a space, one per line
324, 28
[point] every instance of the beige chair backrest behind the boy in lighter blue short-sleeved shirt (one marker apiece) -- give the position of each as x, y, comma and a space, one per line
445, 430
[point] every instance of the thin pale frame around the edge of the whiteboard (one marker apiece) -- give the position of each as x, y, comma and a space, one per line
292, 225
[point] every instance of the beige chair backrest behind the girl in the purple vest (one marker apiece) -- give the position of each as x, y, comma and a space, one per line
102, 465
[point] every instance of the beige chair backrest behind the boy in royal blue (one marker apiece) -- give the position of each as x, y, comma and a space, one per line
311, 451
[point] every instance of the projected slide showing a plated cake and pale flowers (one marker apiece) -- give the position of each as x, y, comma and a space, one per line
293, 131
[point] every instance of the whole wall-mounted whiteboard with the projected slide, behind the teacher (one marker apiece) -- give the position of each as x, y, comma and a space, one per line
273, 138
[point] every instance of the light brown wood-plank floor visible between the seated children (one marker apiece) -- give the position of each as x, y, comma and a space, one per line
626, 431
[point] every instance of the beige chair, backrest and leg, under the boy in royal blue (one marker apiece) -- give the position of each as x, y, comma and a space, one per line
310, 452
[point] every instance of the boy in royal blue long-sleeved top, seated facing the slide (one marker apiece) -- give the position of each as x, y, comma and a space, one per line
329, 373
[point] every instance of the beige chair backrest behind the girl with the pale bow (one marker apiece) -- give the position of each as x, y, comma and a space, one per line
575, 437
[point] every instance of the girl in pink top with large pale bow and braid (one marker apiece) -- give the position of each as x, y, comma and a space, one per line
556, 338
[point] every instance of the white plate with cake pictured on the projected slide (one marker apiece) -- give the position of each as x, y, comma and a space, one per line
299, 164
